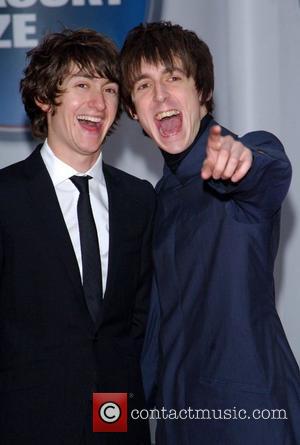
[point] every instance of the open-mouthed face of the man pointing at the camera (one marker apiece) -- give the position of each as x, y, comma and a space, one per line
168, 106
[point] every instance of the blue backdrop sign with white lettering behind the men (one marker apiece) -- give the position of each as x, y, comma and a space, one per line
24, 22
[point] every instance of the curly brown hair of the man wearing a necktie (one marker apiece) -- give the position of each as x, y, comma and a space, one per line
50, 62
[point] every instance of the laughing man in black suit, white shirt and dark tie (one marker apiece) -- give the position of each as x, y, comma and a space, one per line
75, 255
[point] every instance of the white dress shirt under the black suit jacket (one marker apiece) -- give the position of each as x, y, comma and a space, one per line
68, 194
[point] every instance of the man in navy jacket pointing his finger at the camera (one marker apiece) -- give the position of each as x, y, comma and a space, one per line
214, 346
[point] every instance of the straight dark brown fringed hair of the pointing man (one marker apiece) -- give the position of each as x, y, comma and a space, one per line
163, 42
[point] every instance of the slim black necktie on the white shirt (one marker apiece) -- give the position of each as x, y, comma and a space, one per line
91, 263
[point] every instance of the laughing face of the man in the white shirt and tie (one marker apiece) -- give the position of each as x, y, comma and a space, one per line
87, 109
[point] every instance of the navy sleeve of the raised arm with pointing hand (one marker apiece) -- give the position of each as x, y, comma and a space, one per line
261, 192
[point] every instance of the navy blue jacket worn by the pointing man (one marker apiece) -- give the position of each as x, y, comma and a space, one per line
221, 343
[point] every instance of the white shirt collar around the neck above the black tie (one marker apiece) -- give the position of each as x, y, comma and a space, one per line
59, 171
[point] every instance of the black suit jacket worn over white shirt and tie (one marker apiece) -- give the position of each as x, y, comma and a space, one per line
52, 355
